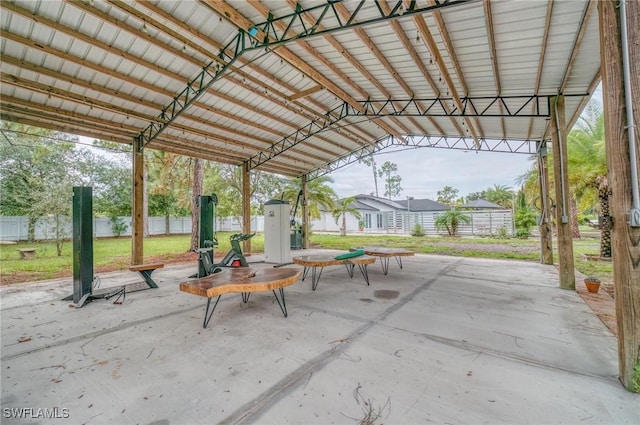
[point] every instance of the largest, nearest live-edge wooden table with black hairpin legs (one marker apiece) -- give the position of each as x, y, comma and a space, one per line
243, 280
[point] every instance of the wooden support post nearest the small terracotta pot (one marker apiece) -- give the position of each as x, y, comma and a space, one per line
561, 183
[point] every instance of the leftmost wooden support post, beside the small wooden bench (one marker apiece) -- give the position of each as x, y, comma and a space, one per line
137, 239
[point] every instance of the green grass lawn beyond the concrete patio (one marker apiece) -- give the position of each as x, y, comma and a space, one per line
115, 253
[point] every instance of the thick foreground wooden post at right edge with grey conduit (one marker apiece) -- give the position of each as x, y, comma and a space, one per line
625, 240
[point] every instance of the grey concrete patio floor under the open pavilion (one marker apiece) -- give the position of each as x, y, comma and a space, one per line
444, 340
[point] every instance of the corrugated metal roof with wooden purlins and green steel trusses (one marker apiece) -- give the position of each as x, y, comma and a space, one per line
298, 87
